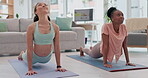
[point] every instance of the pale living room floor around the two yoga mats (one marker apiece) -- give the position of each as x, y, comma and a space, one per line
84, 70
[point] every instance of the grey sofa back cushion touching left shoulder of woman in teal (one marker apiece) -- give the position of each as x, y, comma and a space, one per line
24, 24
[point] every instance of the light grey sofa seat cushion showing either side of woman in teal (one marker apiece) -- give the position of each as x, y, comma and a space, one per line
20, 37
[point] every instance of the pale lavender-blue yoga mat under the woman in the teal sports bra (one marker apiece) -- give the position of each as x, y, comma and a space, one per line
44, 70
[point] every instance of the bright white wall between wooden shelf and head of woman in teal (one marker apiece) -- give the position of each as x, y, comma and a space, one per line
25, 7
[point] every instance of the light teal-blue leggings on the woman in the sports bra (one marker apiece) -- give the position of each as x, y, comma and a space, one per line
36, 58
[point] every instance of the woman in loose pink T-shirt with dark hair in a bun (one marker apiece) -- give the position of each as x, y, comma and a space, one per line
114, 38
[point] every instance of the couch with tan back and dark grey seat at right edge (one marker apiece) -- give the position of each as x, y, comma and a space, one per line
137, 32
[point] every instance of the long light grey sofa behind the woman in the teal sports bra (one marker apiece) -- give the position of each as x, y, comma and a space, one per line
14, 41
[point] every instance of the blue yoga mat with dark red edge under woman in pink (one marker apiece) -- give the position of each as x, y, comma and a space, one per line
120, 66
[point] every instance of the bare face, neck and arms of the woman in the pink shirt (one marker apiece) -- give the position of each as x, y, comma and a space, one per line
117, 19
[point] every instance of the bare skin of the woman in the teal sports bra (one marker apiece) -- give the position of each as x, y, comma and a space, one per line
42, 11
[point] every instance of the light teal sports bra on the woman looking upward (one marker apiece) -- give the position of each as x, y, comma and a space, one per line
43, 39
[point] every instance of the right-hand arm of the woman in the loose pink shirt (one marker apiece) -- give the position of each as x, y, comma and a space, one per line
126, 52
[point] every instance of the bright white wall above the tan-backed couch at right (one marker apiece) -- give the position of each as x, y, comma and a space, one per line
125, 7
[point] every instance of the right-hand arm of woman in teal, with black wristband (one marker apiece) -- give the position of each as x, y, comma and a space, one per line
57, 48
